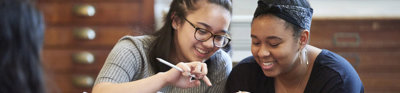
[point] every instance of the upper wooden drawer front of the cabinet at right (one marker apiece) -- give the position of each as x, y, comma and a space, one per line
355, 40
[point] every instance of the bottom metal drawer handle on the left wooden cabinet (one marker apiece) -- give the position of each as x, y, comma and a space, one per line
84, 81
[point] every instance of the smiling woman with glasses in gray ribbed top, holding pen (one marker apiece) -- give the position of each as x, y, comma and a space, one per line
191, 38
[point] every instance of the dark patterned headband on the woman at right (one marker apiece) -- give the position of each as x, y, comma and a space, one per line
296, 15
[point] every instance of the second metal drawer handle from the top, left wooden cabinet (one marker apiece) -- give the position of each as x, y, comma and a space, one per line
85, 33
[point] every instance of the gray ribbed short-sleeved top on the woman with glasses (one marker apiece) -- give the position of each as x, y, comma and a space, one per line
127, 62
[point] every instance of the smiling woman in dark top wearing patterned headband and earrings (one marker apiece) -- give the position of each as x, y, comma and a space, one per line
282, 60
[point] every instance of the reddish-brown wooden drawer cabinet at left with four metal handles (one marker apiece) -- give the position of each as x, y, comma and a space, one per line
80, 34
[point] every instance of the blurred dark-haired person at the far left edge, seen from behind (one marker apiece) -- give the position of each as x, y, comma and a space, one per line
21, 39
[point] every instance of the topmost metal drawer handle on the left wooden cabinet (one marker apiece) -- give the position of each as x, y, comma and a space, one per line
85, 10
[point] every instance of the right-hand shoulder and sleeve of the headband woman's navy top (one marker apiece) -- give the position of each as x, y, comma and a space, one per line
334, 73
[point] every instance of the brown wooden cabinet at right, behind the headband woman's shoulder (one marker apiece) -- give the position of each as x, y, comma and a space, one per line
371, 45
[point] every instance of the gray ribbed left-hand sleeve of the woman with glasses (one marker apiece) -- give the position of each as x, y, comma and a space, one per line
122, 63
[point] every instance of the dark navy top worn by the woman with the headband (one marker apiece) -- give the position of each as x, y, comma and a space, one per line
331, 73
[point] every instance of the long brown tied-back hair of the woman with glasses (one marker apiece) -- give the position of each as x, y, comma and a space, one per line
160, 47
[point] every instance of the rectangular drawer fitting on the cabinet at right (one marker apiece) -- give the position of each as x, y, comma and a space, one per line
346, 39
